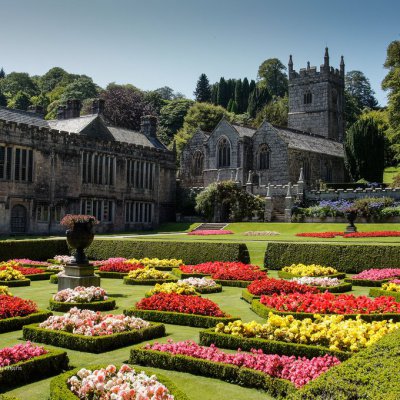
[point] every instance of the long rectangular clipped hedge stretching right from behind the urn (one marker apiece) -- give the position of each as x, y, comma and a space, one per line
189, 252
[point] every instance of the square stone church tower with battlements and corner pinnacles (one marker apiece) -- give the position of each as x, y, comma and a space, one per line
316, 99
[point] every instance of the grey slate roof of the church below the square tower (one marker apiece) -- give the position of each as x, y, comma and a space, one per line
315, 144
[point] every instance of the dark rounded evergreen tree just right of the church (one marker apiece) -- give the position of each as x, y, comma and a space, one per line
364, 150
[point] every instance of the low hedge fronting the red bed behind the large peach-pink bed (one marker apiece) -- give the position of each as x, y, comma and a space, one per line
175, 318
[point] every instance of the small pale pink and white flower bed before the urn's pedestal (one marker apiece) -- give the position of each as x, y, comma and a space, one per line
89, 298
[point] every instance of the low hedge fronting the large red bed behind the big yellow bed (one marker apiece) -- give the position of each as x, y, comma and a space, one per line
263, 311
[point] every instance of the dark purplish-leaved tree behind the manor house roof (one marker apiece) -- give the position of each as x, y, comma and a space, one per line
125, 105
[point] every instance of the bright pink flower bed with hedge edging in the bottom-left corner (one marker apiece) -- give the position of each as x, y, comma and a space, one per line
31, 362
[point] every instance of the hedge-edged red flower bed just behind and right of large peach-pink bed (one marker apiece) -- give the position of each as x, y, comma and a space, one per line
180, 310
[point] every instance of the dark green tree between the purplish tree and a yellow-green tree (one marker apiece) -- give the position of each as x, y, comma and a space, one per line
171, 119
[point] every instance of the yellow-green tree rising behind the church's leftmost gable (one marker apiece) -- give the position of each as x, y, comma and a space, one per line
201, 115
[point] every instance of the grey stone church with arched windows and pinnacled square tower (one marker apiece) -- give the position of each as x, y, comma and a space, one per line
311, 145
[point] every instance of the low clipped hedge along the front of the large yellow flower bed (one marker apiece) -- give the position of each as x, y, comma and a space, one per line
209, 336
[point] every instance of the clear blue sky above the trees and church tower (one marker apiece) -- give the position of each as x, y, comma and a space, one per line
154, 43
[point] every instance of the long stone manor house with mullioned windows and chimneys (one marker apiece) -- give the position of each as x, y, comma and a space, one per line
81, 164
